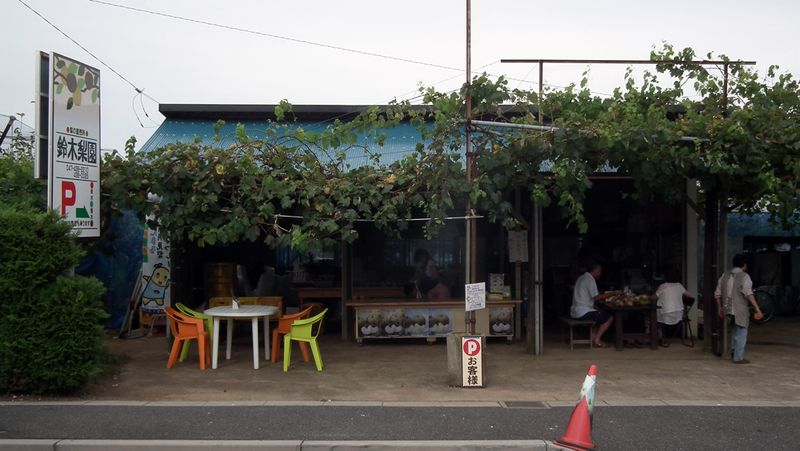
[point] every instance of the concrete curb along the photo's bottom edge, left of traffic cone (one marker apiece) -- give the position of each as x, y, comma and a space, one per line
272, 445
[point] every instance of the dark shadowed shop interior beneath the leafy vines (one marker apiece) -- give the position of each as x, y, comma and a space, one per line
636, 241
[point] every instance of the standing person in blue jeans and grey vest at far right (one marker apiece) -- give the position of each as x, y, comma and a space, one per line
734, 291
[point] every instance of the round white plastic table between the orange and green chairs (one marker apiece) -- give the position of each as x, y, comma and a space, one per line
254, 312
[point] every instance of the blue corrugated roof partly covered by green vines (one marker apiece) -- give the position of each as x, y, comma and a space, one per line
401, 140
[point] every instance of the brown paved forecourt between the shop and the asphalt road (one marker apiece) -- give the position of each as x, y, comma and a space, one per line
414, 372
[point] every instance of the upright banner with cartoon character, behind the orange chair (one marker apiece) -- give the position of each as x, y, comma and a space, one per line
155, 271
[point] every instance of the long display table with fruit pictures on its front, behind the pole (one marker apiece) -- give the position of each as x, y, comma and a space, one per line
431, 319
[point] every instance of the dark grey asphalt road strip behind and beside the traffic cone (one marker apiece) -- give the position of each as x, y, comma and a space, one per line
614, 428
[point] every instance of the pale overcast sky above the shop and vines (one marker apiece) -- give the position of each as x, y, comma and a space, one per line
257, 58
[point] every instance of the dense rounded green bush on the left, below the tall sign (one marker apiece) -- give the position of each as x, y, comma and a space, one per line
51, 334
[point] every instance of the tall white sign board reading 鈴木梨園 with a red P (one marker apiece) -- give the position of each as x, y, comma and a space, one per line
73, 176
